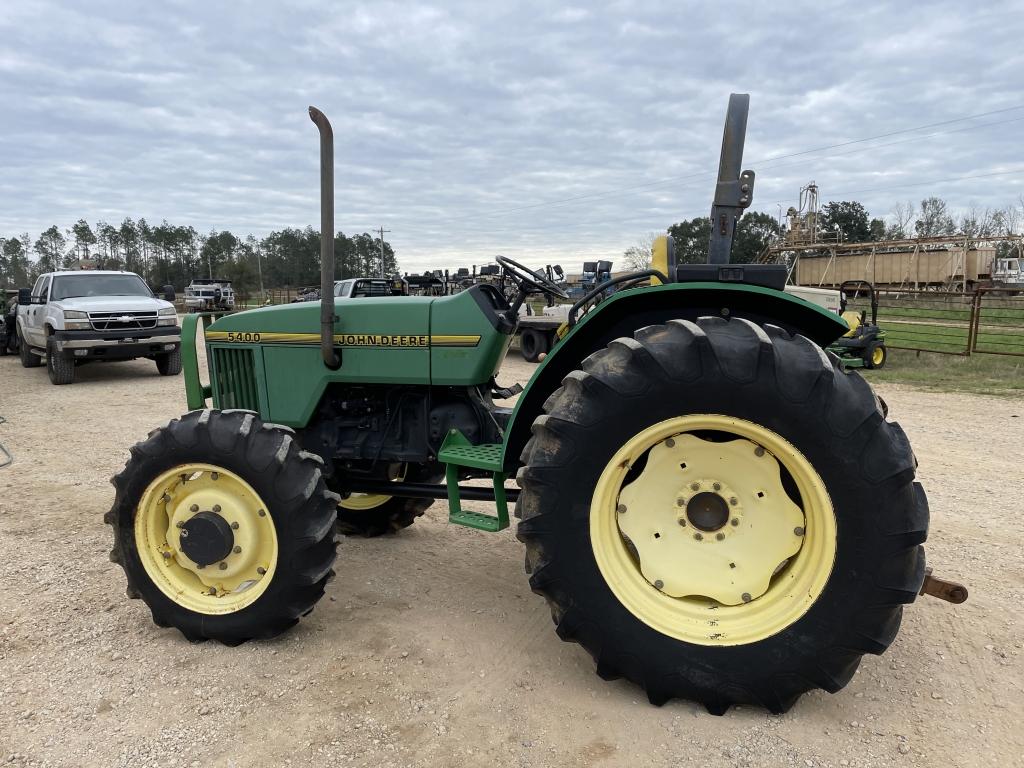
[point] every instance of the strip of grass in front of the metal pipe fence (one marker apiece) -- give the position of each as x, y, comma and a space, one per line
983, 374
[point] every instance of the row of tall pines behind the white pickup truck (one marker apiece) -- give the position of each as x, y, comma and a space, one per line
173, 254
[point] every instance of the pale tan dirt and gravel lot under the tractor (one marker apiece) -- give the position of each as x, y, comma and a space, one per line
432, 651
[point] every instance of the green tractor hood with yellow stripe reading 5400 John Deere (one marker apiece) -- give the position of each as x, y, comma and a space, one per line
382, 340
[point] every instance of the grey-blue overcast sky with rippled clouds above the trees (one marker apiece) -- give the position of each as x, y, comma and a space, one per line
546, 133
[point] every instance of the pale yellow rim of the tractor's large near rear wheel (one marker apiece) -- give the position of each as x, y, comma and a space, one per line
666, 551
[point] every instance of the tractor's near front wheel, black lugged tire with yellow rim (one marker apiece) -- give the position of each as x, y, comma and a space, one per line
224, 527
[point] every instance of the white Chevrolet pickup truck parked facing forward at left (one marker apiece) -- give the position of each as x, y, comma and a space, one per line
72, 318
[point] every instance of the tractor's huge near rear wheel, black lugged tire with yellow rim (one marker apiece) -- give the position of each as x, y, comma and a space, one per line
753, 527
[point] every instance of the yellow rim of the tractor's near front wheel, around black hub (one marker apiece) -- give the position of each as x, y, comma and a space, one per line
169, 503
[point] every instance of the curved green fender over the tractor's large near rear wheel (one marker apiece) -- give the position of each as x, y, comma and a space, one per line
628, 312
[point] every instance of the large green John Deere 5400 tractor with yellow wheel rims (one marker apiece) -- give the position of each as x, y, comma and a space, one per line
710, 504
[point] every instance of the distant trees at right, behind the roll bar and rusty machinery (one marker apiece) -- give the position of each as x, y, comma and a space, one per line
849, 220
